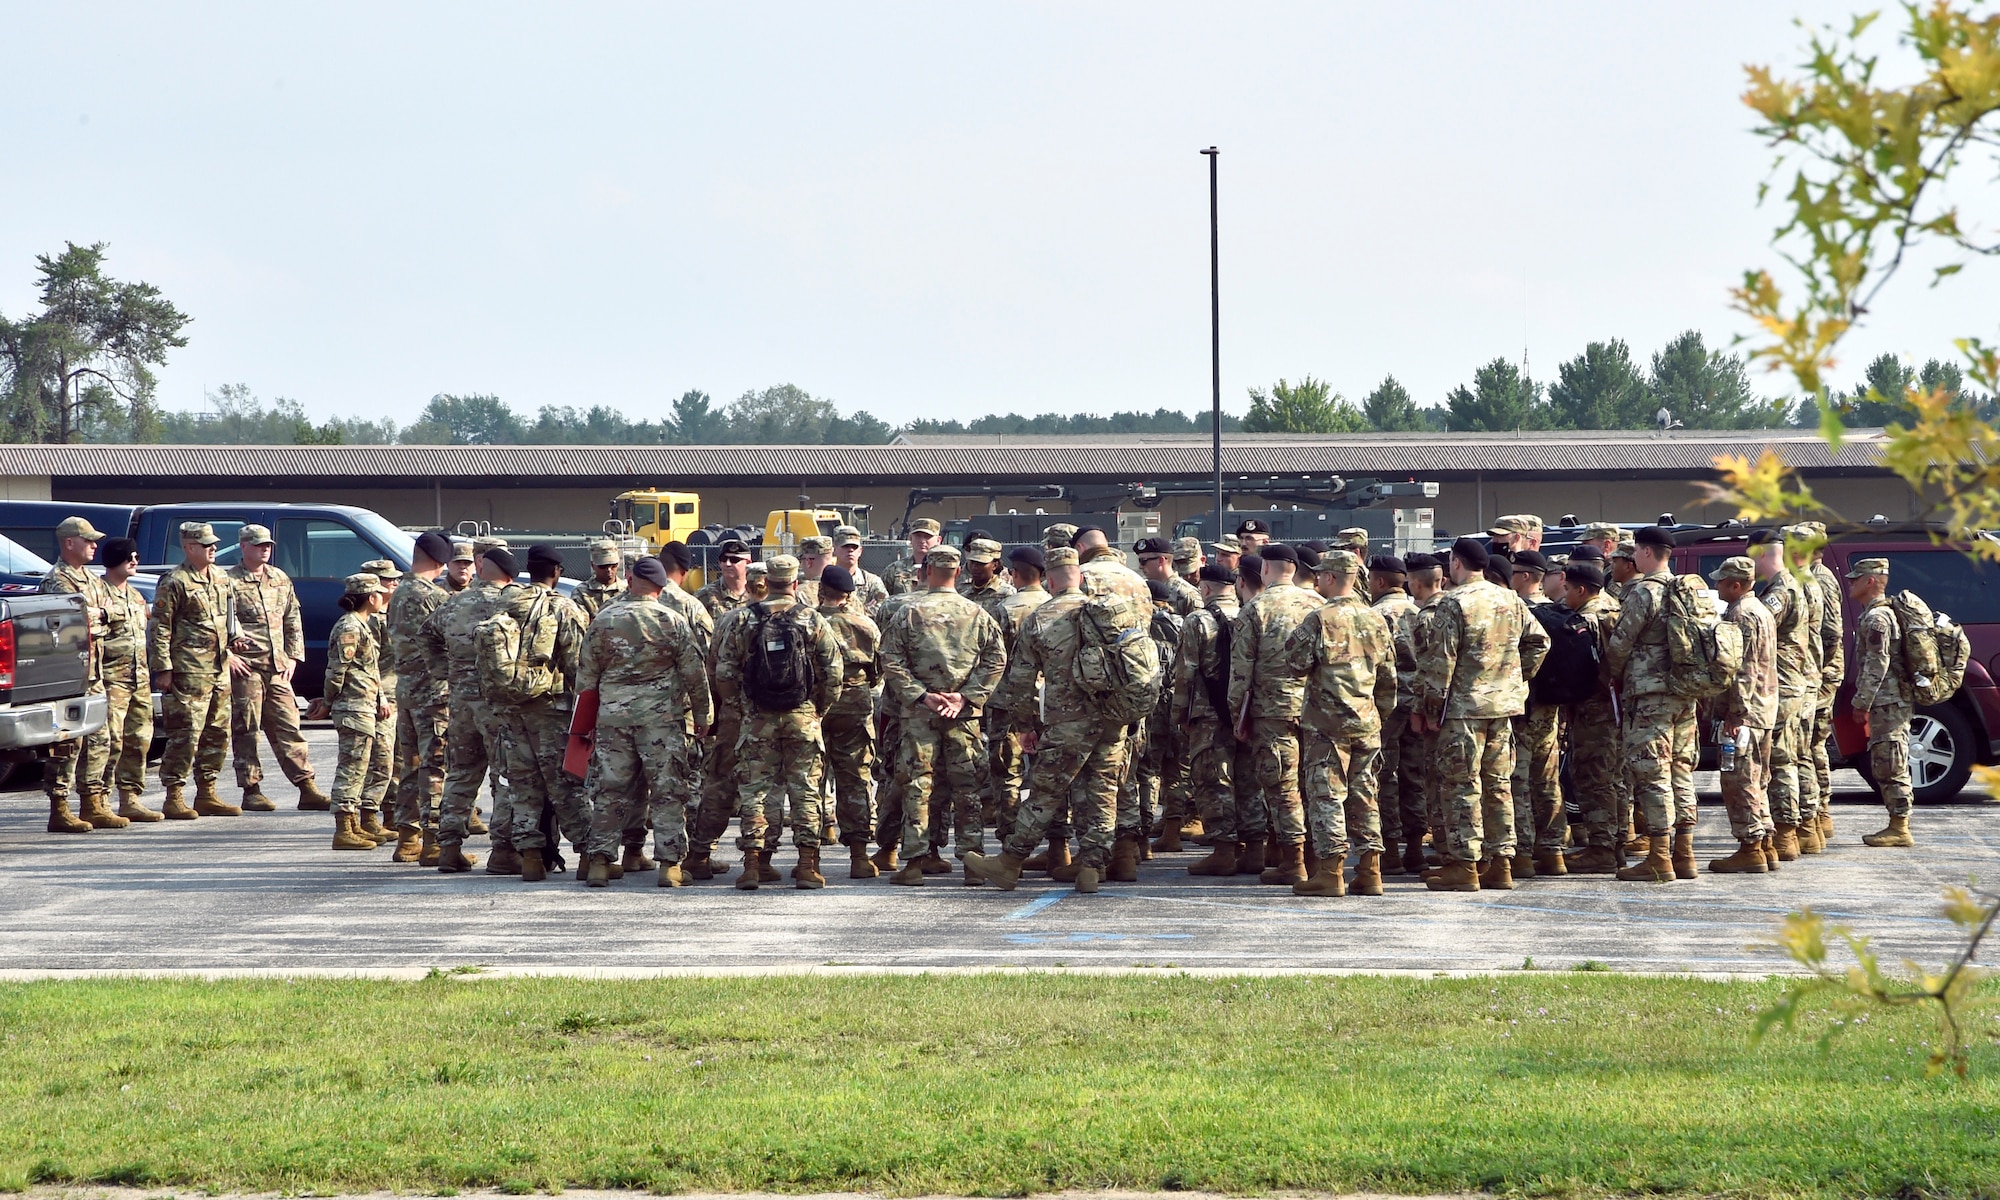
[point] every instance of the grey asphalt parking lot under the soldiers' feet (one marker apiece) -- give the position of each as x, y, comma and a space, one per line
267, 893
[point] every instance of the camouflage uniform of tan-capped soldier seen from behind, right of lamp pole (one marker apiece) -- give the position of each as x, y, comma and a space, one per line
1347, 657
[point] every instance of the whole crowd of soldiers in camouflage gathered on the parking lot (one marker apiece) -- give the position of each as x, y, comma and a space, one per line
1313, 703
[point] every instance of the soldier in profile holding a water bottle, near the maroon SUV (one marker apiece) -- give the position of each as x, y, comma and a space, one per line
1747, 715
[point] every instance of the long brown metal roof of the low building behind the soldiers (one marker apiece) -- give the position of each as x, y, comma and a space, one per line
927, 459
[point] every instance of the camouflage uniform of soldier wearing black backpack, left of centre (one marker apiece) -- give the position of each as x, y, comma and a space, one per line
779, 751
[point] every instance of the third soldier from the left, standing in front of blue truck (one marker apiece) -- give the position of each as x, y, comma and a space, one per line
193, 627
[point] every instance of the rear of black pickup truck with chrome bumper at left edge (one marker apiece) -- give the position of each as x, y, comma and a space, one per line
45, 671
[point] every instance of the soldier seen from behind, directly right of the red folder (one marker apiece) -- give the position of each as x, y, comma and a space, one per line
645, 665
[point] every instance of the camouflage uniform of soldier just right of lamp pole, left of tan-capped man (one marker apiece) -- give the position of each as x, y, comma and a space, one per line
1257, 671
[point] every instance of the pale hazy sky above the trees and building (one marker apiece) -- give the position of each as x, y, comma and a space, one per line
919, 211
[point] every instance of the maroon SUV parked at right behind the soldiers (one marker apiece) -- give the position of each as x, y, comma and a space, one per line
1945, 739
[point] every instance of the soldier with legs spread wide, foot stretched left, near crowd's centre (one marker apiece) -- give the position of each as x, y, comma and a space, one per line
1079, 755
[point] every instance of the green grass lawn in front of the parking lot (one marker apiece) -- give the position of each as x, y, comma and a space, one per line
977, 1085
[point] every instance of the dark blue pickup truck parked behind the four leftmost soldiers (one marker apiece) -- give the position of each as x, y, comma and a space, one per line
319, 547
